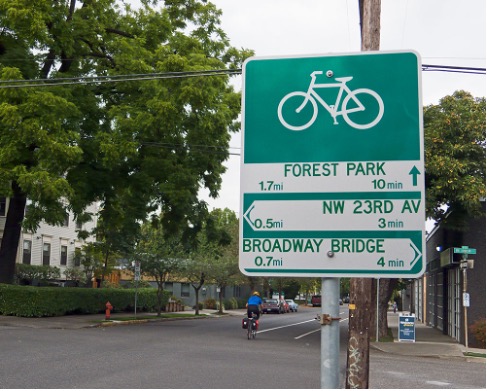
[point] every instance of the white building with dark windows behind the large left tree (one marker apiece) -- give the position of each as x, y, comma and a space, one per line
51, 245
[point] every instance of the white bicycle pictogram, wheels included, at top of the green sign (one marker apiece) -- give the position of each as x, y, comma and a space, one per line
351, 104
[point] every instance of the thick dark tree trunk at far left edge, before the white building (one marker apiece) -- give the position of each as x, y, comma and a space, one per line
11, 234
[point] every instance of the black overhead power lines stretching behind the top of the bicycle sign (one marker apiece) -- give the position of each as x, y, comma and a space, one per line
177, 75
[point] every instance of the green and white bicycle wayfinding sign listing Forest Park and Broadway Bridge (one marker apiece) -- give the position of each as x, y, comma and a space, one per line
332, 169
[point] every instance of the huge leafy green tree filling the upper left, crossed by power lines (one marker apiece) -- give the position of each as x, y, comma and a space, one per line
134, 146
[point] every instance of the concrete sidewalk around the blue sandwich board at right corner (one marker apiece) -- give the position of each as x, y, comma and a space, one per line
430, 342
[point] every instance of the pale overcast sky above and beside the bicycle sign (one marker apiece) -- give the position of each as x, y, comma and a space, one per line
443, 32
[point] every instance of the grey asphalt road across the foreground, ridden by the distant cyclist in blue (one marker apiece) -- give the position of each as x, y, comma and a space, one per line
204, 353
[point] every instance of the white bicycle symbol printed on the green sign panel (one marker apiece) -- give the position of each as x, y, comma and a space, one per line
312, 96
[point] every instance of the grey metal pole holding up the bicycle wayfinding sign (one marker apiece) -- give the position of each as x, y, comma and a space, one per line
330, 333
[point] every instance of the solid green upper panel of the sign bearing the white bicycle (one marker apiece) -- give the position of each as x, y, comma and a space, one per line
356, 107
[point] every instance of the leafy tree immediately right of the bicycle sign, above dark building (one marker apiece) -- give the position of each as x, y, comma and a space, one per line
455, 158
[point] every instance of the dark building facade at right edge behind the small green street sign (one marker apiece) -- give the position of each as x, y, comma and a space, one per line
437, 298
